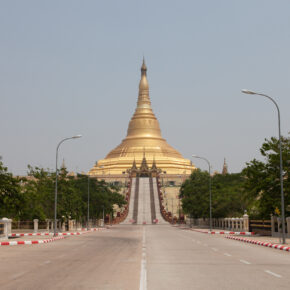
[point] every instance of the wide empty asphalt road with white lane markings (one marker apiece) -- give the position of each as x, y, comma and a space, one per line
144, 257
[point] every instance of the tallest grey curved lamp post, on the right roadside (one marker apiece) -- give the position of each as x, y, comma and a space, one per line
281, 162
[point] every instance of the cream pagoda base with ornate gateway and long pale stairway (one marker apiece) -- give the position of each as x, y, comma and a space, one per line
152, 196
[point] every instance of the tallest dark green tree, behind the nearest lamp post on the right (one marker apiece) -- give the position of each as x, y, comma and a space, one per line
262, 184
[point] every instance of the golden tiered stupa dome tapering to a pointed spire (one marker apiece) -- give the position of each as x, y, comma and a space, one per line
143, 137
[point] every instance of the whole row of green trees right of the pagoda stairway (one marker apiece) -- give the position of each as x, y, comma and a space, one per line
256, 189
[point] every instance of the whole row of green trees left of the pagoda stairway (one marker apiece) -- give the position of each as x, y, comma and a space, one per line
33, 196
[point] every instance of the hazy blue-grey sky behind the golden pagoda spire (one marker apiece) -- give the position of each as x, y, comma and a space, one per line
73, 67
